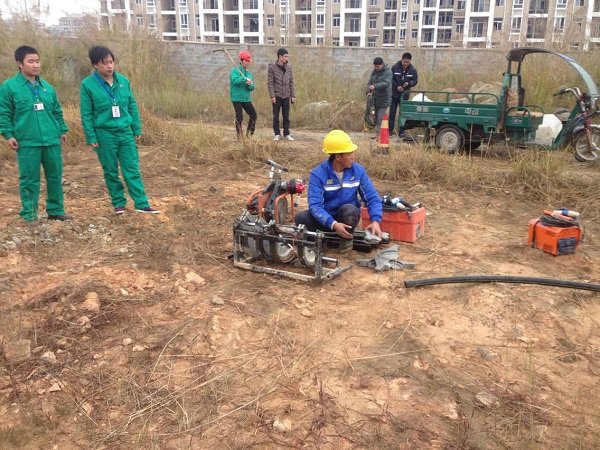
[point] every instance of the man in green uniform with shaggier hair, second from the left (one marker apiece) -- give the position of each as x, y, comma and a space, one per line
111, 123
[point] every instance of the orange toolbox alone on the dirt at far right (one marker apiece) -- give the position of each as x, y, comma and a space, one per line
554, 240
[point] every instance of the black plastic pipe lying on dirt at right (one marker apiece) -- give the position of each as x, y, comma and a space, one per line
503, 279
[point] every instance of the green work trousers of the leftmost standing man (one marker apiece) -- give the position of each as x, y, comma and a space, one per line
29, 160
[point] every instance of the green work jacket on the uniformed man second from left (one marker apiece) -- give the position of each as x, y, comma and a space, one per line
96, 107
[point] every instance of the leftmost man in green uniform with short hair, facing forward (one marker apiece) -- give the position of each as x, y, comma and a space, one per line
31, 120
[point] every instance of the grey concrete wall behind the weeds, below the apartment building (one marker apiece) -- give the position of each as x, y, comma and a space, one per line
207, 67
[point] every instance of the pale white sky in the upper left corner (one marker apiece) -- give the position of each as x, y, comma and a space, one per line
57, 8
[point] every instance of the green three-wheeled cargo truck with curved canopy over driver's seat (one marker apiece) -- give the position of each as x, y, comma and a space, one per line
459, 120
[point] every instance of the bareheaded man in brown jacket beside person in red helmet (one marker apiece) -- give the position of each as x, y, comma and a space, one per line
280, 82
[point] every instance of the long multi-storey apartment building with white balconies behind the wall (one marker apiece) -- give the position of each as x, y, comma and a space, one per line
366, 23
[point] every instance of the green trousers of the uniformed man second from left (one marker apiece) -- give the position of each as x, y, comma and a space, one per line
118, 149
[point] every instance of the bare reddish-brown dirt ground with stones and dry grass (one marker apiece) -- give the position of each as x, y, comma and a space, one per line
157, 341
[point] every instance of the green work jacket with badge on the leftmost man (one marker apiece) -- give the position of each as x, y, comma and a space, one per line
21, 119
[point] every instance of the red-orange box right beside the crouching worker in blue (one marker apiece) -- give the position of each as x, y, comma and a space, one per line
402, 226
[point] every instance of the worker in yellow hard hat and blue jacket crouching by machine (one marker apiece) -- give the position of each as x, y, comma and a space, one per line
334, 189
